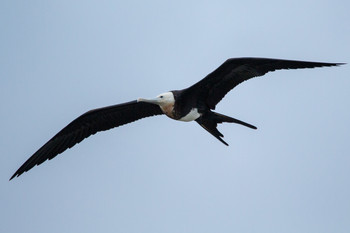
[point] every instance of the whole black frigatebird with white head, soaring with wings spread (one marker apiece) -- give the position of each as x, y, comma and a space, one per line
194, 103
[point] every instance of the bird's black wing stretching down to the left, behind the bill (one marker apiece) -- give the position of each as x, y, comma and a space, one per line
88, 124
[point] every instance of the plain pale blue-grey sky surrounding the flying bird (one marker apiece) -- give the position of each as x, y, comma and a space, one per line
60, 59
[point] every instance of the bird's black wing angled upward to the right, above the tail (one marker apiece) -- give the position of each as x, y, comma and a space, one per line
236, 70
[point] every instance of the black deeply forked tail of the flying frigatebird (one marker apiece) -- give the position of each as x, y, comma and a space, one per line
210, 121
